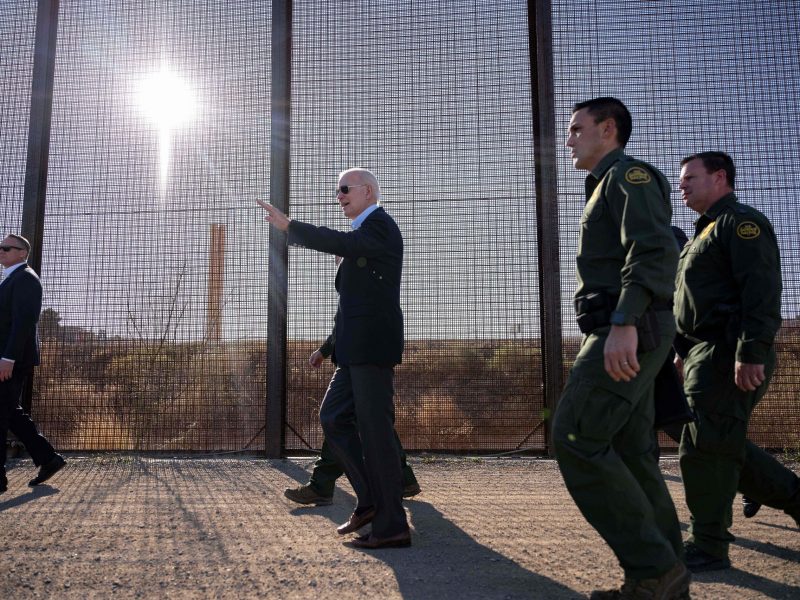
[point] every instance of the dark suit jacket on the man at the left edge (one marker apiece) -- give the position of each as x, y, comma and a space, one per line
20, 305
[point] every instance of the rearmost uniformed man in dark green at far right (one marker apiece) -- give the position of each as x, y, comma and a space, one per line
727, 310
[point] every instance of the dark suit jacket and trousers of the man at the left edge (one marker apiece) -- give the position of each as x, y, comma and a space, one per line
20, 305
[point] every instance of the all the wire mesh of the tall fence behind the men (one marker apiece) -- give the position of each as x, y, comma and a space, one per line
155, 257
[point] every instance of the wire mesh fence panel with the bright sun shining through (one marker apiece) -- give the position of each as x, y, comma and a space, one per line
154, 259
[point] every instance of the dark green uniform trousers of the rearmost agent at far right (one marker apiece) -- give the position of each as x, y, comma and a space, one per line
716, 457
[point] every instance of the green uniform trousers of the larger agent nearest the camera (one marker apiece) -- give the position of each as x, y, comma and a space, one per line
605, 442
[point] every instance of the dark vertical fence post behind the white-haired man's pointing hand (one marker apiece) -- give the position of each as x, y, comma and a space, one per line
279, 187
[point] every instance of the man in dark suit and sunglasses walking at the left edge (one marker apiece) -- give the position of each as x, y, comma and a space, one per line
20, 305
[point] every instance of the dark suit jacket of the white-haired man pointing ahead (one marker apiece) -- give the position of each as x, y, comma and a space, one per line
369, 322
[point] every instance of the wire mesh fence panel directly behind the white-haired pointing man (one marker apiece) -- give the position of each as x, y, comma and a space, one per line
434, 97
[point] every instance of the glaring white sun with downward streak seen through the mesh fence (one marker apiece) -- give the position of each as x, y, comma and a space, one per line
168, 102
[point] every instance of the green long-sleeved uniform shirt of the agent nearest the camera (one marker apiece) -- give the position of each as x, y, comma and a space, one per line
626, 245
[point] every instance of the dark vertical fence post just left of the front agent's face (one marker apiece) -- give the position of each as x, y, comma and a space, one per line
540, 34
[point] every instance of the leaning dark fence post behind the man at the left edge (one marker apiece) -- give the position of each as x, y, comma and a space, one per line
33, 200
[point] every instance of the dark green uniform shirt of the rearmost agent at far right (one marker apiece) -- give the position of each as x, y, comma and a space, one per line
729, 277
